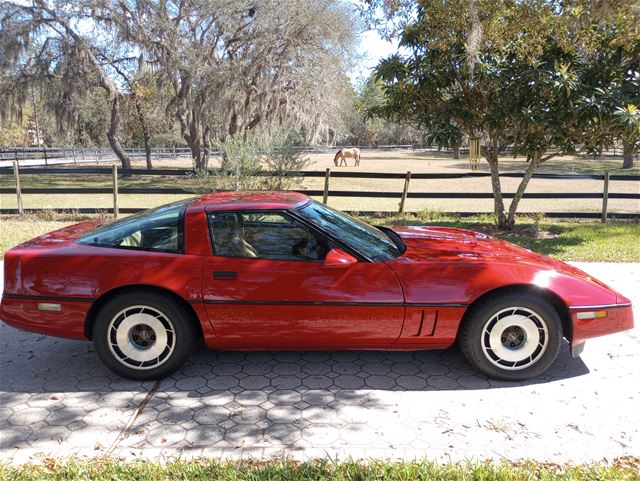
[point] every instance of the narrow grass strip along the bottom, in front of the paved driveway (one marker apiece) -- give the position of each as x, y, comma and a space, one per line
622, 470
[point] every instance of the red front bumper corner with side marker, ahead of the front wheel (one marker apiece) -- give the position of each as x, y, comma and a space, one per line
618, 318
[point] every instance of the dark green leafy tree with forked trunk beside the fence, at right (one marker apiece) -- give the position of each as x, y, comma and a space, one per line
546, 77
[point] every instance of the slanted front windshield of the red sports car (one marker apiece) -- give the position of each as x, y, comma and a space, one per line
370, 241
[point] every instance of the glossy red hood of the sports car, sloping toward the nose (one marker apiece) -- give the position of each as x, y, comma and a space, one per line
444, 244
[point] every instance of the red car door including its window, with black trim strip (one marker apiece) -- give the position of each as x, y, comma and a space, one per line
268, 286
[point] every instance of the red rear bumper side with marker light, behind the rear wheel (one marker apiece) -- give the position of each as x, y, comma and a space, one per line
25, 314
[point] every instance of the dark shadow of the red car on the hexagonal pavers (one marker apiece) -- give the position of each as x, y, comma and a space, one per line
32, 363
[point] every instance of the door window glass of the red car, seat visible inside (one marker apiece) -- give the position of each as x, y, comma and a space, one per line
269, 235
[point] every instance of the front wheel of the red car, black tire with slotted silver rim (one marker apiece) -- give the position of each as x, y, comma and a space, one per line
499, 333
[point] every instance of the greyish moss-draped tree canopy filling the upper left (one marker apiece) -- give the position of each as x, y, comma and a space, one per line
231, 66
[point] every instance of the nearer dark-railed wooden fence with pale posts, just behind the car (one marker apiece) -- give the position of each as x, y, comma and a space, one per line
327, 192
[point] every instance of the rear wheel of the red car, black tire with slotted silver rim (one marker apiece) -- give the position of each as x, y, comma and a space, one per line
129, 312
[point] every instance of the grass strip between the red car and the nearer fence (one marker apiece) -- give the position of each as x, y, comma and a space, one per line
562, 239
